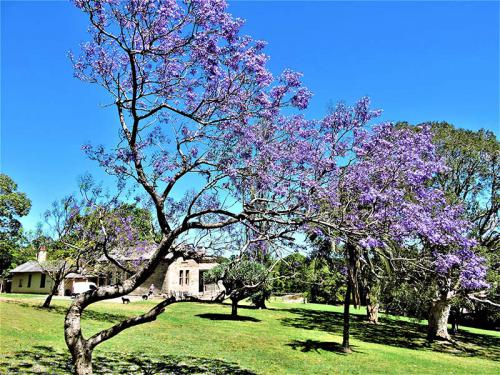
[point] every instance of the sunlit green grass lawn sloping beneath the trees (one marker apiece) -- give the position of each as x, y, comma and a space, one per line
194, 338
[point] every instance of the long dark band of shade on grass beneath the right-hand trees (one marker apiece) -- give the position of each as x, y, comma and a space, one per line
395, 332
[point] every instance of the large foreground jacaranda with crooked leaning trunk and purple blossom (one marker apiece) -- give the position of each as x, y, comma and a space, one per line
194, 102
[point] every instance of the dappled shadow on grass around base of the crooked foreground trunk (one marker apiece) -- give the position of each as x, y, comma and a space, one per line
45, 360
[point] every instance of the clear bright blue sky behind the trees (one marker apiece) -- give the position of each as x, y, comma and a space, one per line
418, 61
